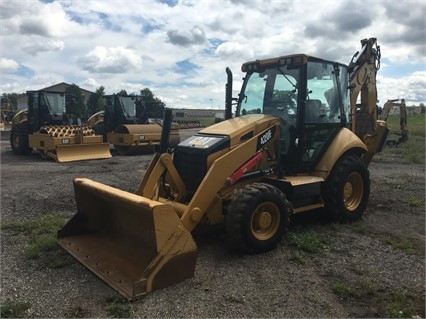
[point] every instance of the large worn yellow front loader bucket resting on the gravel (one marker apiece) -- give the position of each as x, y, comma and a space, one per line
134, 244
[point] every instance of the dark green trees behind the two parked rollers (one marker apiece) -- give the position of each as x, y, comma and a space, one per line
76, 105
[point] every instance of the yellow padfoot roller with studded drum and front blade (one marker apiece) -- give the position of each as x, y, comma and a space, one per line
45, 127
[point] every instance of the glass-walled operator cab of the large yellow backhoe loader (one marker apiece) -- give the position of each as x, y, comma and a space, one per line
309, 97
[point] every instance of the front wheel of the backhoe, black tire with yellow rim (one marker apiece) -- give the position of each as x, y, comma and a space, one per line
257, 218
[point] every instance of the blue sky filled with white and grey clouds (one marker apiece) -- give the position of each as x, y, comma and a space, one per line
180, 48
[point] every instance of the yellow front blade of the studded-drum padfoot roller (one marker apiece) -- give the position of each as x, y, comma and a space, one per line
79, 152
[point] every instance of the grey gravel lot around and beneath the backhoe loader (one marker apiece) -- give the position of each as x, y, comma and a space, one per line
372, 268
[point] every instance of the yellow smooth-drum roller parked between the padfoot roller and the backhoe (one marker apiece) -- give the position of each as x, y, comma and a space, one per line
125, 124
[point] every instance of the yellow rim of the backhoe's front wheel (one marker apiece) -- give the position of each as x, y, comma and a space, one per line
265, 221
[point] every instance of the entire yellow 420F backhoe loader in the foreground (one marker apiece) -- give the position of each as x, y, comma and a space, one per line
296, 141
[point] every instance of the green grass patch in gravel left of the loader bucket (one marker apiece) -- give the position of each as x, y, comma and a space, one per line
41, 232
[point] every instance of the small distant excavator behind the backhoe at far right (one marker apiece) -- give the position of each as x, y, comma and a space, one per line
403, 134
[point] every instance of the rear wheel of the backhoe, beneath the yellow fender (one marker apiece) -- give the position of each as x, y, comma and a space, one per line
347, 190
